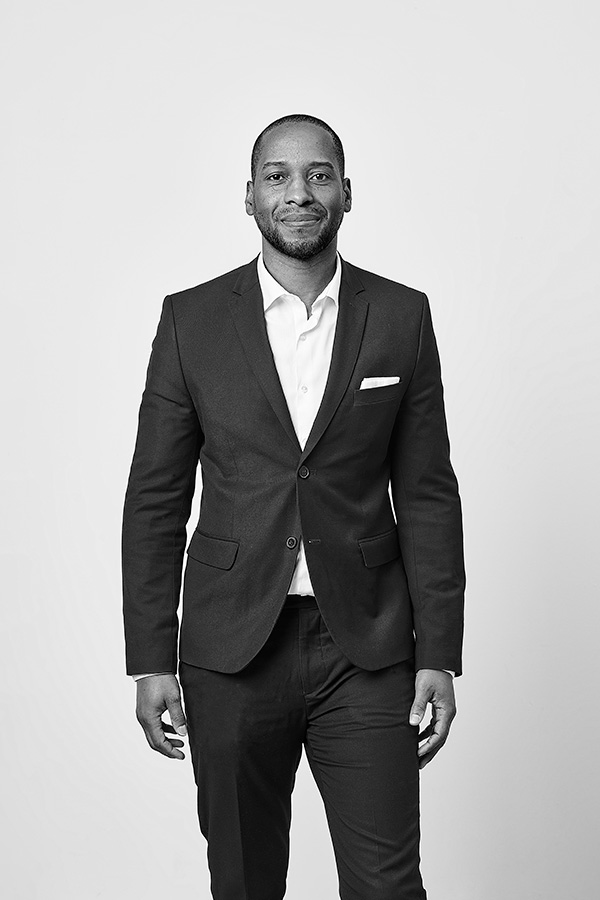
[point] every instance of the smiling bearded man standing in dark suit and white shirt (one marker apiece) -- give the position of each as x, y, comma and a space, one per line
314, 614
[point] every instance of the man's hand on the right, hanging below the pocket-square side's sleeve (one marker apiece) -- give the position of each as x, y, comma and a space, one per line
433, 686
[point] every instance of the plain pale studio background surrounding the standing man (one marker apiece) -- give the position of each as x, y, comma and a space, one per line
472, 143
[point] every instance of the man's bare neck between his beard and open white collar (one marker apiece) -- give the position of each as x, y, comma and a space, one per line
304, 278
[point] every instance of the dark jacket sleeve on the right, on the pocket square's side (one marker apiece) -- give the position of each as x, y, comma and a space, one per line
428, 511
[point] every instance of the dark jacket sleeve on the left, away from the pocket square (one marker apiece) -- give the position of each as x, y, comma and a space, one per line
157, 506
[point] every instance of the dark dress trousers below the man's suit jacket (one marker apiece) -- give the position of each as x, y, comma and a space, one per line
246, 733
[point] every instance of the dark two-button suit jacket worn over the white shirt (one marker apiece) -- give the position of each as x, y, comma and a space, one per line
389, 581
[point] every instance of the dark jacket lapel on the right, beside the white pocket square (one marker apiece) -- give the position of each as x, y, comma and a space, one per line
350, 327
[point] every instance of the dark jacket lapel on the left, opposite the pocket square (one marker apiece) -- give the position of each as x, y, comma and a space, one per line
249, 318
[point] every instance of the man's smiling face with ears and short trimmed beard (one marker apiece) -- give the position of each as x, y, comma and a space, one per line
298, 197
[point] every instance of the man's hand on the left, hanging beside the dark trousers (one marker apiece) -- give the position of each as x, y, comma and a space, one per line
155, 694
